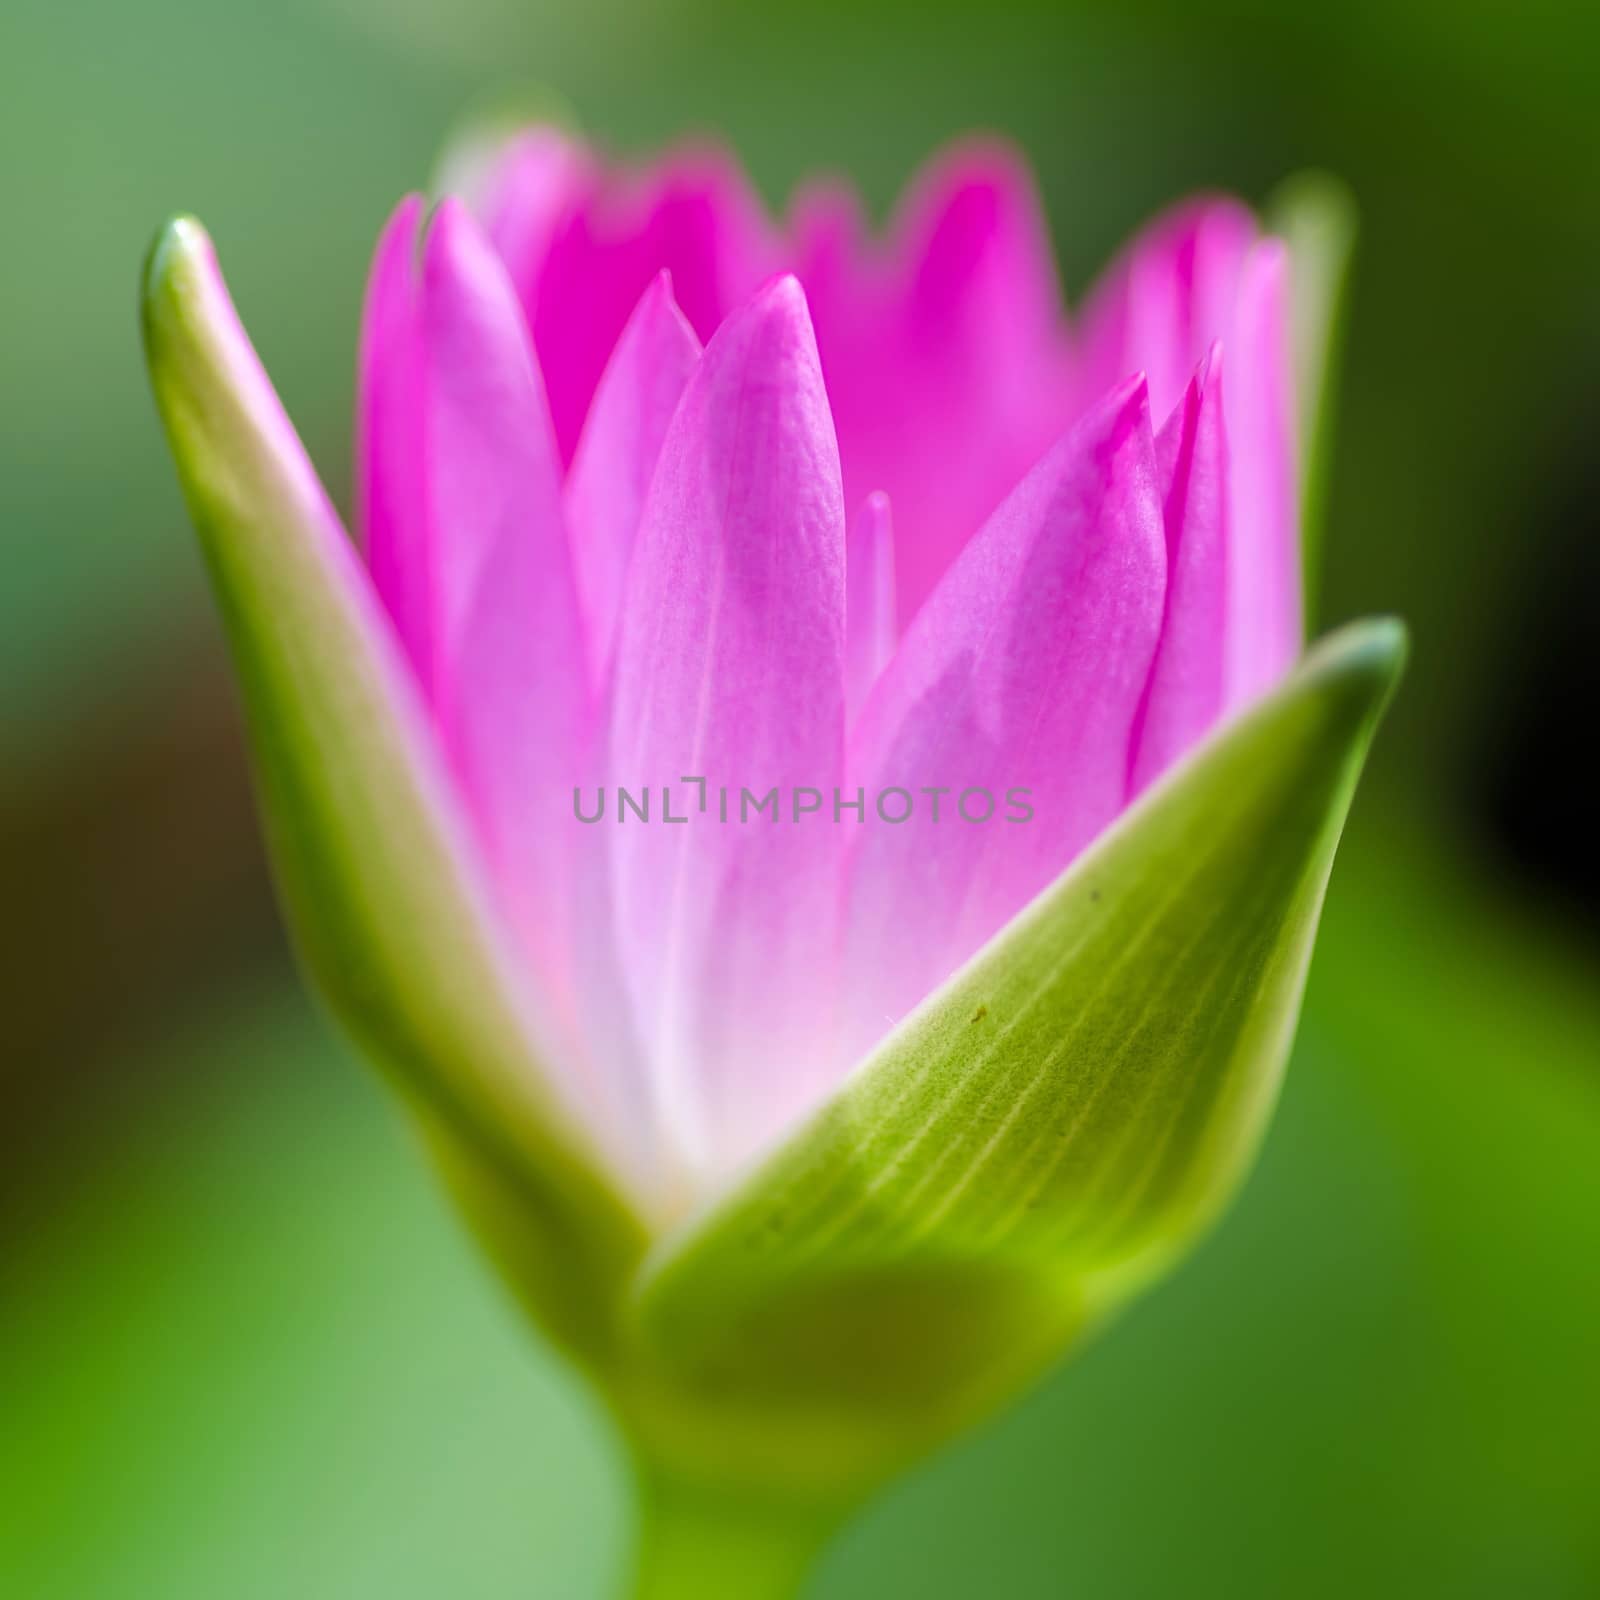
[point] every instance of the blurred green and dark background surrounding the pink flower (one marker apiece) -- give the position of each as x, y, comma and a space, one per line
244, 1348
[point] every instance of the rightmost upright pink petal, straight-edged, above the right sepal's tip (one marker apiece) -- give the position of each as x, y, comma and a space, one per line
1265, 577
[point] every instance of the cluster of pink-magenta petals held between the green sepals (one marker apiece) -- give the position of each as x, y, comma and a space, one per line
654, 487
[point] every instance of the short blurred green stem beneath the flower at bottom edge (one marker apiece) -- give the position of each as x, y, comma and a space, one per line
700, 1543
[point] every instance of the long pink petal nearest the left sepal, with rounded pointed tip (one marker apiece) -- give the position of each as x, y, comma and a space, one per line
510, 658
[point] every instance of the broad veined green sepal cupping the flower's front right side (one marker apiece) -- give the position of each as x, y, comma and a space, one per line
1046, 1134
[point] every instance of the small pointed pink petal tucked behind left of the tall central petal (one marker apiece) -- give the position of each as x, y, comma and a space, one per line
617, 457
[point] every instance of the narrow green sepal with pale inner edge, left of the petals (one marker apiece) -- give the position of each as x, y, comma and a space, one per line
382, 892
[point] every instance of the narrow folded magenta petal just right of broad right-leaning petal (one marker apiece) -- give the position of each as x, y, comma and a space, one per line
1188, 679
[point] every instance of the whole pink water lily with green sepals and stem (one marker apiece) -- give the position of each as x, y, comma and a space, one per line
806, 777
